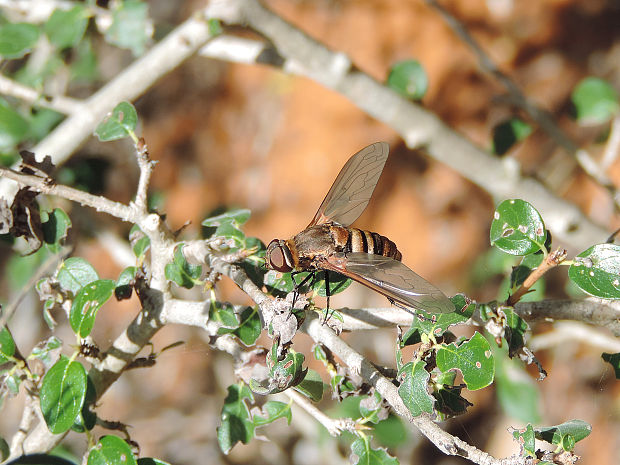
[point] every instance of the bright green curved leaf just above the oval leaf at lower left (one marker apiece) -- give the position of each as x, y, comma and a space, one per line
87, 303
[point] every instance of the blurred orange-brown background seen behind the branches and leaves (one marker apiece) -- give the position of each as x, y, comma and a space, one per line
228, 135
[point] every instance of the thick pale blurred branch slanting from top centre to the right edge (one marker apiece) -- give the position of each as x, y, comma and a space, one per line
296, 53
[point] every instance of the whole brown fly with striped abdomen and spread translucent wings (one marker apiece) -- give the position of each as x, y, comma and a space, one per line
329, 244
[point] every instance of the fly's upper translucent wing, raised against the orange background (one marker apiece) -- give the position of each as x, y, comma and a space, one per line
352, 189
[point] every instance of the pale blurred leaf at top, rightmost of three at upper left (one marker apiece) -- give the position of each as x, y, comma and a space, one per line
130, 26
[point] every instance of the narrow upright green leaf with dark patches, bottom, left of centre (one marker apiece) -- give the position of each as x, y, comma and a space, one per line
235, 422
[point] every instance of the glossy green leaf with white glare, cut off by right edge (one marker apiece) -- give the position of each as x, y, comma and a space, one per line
597, 271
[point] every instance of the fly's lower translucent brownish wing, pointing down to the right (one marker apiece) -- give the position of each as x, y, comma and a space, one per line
392, 279
